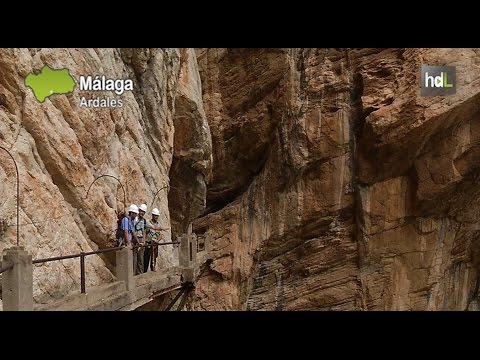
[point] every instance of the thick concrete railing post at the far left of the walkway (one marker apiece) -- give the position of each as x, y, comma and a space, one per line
17, 283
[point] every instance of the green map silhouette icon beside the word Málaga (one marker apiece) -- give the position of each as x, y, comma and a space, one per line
49, 82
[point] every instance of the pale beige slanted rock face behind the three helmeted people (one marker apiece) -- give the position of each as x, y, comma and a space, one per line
61, 148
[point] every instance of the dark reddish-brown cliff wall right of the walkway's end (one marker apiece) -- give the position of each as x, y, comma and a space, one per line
335, 185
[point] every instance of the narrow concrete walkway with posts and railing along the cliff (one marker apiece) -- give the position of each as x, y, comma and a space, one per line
127, 293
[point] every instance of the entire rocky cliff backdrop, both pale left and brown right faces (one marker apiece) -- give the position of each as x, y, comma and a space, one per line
320, 177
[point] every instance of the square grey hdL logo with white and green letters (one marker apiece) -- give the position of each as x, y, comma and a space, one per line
438, 80
